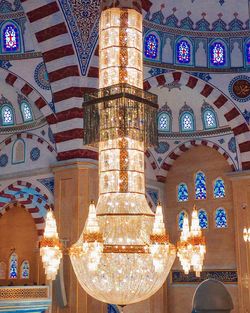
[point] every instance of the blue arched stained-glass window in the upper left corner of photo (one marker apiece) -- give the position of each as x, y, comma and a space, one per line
11, 41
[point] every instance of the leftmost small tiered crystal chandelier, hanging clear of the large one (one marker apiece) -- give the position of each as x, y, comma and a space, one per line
50, 247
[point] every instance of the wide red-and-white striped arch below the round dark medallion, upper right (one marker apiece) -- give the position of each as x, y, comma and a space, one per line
216, 98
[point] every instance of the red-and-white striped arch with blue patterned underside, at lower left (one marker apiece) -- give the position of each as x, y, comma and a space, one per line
13, 194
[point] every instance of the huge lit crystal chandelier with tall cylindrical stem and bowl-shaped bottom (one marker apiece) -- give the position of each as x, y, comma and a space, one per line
123, 255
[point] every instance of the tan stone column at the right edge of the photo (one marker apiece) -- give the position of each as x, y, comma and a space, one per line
241, 199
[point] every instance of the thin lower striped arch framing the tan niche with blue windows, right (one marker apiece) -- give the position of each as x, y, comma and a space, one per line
161, 173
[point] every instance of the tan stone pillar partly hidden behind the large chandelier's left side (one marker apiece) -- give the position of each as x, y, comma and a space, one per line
76, 183
